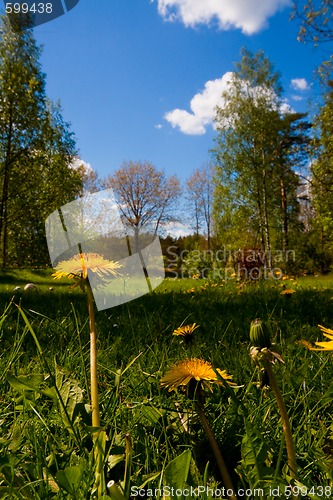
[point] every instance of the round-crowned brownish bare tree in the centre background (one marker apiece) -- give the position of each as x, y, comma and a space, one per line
145, 195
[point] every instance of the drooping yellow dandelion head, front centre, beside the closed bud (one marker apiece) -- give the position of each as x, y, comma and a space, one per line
187, 370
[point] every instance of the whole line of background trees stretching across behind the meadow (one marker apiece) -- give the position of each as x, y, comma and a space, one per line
267, 184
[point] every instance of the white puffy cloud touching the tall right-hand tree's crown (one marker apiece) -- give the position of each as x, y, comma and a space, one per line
203, 106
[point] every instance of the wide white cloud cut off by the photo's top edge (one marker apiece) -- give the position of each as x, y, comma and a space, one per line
248, 15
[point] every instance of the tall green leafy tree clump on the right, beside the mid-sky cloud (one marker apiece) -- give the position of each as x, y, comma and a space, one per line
258, 149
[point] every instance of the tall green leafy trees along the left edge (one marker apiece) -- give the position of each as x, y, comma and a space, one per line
36, 149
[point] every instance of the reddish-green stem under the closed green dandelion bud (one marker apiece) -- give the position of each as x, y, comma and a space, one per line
285, 420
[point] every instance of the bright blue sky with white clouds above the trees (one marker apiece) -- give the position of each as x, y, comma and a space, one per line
121, 68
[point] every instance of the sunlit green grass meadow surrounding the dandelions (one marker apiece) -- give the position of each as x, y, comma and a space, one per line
155, 439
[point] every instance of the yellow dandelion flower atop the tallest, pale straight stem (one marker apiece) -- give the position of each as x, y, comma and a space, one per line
79, 265
